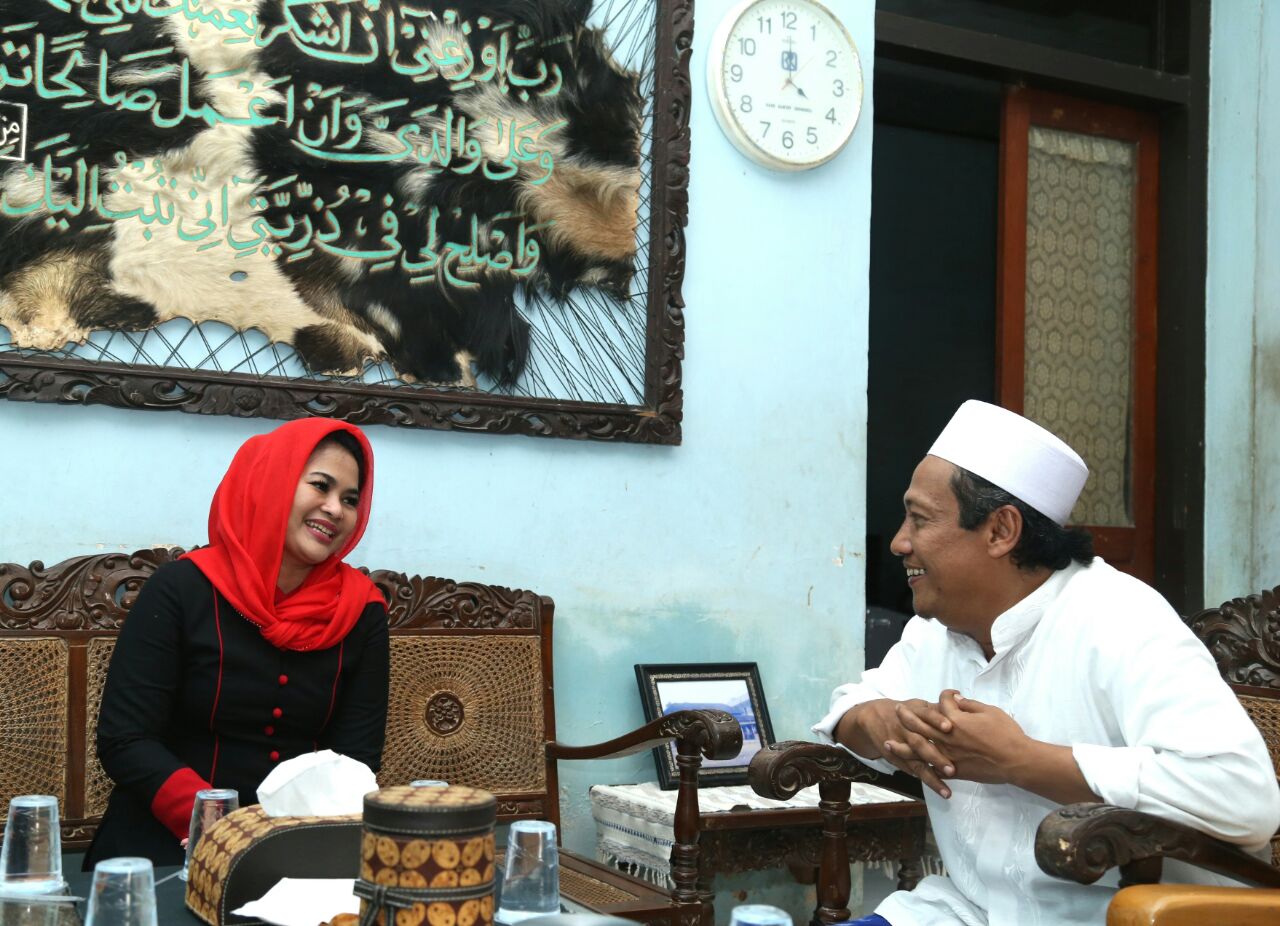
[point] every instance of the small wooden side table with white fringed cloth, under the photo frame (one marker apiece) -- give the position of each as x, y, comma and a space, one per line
634, 828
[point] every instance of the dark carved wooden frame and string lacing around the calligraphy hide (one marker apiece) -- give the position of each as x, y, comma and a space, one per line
648, 410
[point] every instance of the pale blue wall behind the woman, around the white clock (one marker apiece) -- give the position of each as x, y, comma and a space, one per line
746, 544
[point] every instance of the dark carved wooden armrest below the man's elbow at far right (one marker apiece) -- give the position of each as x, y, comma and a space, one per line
1082, 842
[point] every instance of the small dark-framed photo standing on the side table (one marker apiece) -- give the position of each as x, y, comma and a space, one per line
730, 687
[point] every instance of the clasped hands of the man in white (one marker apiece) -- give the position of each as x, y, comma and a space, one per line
954, 738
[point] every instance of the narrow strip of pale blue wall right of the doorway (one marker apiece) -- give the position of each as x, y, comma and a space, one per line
1242, 426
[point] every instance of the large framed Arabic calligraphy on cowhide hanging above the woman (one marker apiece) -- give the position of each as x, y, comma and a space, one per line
601, 361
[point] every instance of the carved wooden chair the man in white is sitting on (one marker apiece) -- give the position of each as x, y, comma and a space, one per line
1084, 842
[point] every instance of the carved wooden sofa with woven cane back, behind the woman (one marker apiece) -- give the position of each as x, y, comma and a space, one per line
472, 703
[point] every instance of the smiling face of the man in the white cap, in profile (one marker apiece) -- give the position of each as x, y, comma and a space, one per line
948, 568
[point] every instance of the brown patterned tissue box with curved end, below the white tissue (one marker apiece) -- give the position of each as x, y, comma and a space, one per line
245, 854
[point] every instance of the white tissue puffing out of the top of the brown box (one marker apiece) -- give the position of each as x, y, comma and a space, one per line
318, 784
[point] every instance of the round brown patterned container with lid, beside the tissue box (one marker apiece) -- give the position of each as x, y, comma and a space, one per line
428, 856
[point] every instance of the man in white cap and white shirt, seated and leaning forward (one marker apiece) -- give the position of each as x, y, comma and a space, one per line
1036, 676
